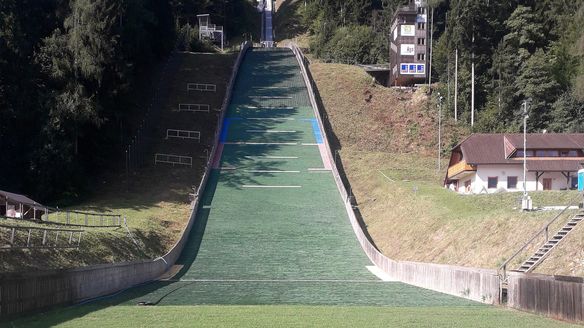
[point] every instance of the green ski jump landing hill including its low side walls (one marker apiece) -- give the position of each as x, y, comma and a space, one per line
272, 223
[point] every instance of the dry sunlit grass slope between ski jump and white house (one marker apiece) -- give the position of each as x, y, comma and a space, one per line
388, 146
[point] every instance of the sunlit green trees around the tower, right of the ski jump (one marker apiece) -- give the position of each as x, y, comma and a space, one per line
522, 49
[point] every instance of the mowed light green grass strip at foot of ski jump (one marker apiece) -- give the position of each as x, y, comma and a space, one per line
289, 316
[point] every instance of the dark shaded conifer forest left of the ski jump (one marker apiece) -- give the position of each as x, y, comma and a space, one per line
67, 70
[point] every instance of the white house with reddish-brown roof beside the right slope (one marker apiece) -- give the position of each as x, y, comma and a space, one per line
487, 163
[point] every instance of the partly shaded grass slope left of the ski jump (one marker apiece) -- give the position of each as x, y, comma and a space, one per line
154, 199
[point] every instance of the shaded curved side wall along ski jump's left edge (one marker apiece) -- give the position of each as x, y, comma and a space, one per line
26, 292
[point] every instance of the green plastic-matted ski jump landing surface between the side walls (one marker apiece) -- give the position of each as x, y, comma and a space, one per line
272, 227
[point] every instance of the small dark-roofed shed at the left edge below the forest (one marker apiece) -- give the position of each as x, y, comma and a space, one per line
20, 206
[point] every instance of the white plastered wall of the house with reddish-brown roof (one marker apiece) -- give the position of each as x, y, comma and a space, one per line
480, 179
